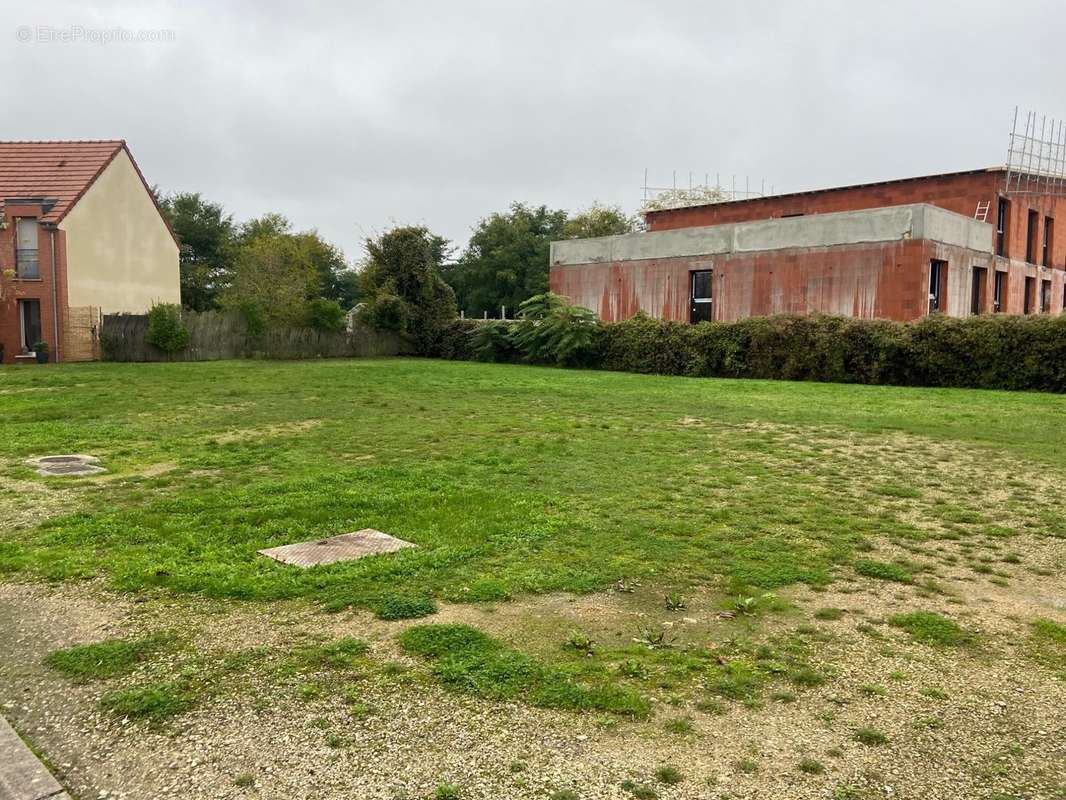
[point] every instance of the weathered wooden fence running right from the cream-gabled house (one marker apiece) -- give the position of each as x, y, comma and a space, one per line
215, 335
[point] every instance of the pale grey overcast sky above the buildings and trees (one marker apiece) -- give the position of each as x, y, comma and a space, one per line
352, 117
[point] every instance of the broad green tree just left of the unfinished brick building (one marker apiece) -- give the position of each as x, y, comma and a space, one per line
507, 260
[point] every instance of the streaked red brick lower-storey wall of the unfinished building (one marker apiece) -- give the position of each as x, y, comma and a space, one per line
886, 281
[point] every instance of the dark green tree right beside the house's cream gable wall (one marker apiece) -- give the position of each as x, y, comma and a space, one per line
207, 237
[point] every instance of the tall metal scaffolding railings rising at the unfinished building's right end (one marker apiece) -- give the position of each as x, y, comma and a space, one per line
1037, 156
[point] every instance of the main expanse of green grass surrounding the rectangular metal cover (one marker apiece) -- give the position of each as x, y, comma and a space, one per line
510, 479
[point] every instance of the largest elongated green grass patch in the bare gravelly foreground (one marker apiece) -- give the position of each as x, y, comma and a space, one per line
466, 660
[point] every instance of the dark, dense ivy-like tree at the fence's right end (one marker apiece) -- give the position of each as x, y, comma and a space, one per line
402, 285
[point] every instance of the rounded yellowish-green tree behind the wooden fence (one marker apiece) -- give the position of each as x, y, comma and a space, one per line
273, 279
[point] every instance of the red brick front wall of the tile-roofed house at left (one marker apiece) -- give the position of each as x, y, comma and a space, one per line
15, 290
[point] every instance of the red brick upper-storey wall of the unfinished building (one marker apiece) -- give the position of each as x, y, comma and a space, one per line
960, 194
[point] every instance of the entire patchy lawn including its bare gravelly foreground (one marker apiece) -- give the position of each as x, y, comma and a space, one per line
650, 558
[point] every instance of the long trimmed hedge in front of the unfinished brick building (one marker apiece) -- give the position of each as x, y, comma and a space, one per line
991, 351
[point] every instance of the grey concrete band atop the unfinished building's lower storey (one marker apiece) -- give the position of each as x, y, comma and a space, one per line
894, 223
